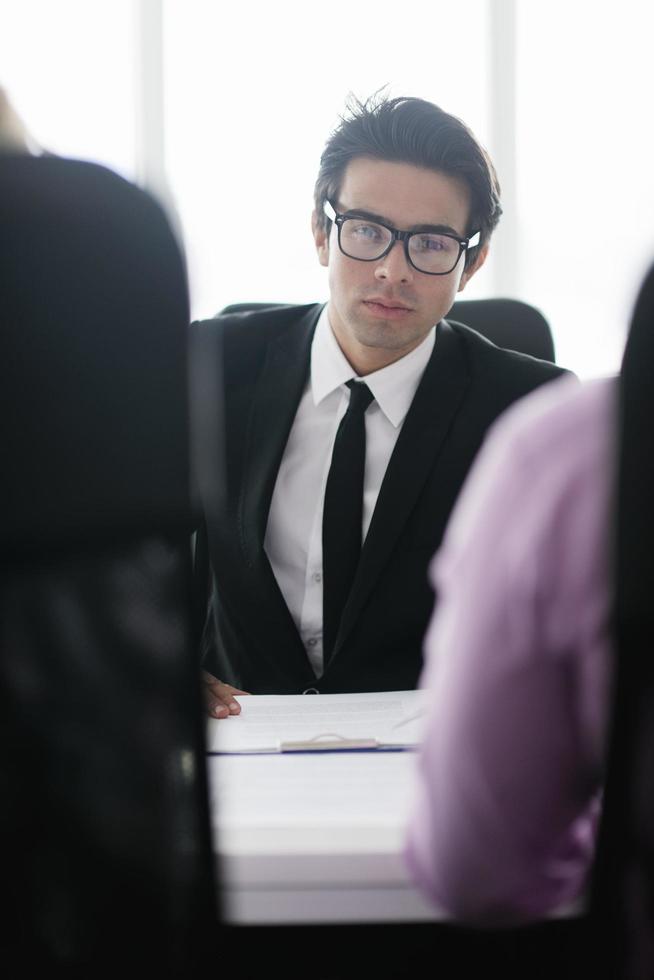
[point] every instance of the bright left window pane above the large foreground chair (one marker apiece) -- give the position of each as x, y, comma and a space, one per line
68, 68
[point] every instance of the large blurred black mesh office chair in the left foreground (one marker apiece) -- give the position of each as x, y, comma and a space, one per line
106, 852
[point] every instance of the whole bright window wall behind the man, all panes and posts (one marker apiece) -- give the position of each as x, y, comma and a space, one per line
241, 97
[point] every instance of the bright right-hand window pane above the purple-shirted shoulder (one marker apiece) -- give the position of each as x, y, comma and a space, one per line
584, 171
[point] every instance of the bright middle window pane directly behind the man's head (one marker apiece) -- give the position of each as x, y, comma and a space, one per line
252, 92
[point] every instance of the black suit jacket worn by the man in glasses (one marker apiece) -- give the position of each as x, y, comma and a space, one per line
250, 639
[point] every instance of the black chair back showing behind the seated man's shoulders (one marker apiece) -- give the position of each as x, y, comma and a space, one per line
506, 322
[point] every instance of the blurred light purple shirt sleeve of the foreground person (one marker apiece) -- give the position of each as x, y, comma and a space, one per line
517, 662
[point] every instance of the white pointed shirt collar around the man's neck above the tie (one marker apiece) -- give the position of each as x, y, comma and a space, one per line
393, 386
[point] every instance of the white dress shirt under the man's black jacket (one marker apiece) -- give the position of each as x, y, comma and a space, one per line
293, 540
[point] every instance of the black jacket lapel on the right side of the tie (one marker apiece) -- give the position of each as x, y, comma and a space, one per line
438, 398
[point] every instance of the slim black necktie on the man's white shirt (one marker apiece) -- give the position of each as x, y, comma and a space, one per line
343, 513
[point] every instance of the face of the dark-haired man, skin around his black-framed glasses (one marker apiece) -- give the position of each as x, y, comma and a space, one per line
381, 310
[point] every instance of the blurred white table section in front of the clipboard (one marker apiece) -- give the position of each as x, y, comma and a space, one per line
314, 837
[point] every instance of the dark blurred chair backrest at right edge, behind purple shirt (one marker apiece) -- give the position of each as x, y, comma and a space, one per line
623, 888
